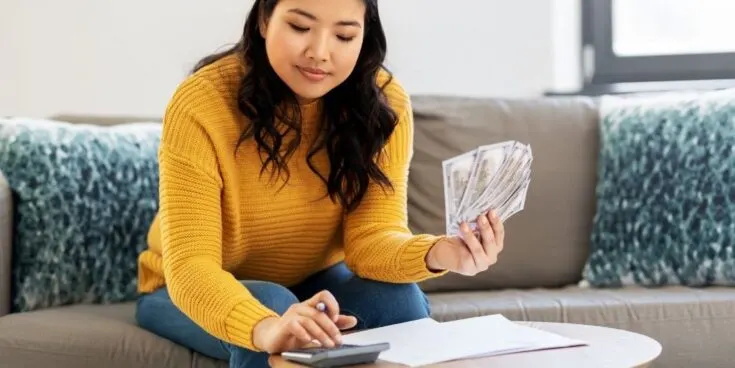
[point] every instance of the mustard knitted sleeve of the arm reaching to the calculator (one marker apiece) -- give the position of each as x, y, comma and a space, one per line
191, 223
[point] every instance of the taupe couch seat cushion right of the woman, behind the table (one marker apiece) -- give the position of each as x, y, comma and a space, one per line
696, 327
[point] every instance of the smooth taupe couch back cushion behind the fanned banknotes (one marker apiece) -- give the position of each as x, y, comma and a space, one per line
546, 243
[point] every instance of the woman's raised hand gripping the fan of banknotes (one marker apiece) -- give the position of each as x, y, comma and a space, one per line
468, 254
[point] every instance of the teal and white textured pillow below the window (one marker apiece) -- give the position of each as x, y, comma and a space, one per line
666, 192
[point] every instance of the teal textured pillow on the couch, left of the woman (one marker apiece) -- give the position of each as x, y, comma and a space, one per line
84, 198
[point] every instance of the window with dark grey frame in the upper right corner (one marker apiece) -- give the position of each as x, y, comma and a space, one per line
628, 41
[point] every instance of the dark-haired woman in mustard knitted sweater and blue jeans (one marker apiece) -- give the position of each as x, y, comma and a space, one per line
284, 164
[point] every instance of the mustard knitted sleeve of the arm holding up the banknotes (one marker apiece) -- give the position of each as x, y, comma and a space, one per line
378, 242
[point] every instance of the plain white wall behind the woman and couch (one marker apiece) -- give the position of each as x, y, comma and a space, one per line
118, 57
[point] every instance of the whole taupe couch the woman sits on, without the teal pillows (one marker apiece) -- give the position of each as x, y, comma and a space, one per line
536, 279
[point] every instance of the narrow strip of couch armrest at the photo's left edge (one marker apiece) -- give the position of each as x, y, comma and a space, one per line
6, 251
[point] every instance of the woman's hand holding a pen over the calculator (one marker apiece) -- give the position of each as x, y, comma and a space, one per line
303, 323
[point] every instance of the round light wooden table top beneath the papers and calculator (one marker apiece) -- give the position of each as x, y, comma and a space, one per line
607, 347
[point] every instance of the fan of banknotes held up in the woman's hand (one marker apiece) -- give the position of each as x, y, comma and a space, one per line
490, 177
